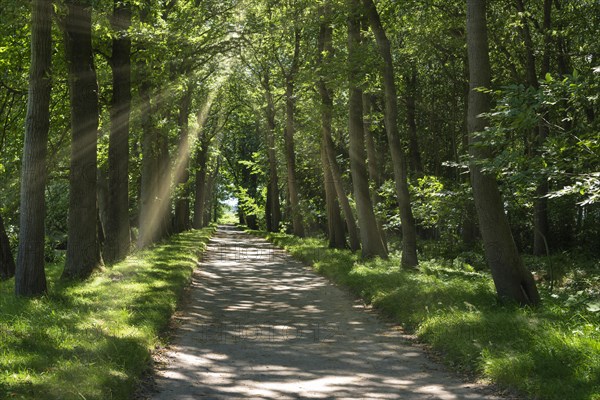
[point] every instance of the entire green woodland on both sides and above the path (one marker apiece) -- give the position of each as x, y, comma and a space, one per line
413, 126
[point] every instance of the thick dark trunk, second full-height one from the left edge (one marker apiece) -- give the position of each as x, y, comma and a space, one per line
83, 250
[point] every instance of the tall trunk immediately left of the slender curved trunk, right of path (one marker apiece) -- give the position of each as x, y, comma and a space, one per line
372, 243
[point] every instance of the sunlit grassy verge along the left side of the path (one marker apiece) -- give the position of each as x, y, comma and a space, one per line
93, 340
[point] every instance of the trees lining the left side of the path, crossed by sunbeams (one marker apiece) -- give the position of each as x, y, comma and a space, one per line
113, 59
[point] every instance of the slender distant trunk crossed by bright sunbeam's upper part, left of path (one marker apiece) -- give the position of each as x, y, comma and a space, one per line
182, 202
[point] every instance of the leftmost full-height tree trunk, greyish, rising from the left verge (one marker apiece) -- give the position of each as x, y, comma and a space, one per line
30, 279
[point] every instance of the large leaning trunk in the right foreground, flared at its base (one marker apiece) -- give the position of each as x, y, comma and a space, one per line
513, 282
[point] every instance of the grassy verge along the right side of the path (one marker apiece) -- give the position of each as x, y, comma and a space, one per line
551, 352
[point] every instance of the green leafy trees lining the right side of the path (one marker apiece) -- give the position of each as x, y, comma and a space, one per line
410, 96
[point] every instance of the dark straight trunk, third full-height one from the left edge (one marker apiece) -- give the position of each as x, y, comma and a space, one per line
117, 229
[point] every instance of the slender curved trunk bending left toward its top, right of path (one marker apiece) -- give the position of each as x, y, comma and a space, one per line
409, 232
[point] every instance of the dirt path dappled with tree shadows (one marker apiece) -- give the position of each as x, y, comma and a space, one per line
261, 325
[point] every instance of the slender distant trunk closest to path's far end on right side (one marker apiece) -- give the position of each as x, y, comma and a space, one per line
273, 204
